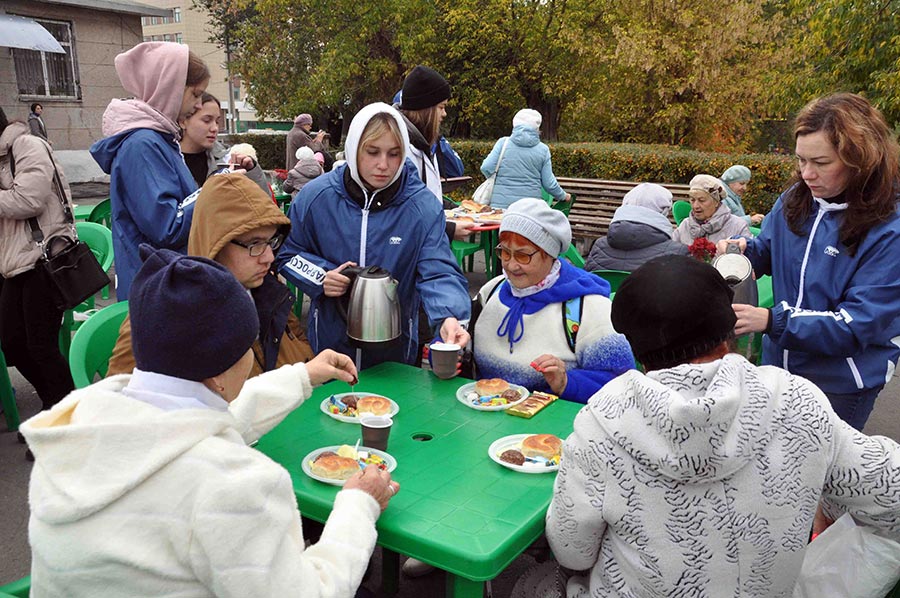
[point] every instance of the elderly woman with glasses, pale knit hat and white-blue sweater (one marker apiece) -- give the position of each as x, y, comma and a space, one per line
545, 324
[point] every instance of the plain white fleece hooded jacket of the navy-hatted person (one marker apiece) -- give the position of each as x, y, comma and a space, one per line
130, 500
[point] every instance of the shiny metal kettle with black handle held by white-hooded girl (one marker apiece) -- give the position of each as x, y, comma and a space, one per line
373, 310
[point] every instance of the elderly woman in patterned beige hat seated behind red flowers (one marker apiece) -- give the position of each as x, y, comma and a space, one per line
710, 217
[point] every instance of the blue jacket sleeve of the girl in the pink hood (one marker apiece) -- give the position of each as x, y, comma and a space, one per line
155, 198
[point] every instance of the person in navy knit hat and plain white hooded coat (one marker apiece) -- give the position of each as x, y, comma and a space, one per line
144, 485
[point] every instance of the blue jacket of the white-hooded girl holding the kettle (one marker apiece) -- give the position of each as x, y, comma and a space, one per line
406, 237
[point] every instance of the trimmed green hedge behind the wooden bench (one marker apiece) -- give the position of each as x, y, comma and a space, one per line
656, 163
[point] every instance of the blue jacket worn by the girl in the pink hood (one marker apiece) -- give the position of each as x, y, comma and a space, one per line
150, 195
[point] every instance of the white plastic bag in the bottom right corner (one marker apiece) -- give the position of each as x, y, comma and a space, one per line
849, 560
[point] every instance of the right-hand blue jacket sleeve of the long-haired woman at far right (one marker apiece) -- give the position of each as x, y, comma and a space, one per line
865, 314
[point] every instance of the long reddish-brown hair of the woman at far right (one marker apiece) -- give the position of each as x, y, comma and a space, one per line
866, 146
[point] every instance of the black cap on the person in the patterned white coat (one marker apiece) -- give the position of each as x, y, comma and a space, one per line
673, 309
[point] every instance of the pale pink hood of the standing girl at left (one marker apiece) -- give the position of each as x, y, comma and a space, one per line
156, 73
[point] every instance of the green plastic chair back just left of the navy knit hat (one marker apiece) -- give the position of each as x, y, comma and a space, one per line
93, 343
